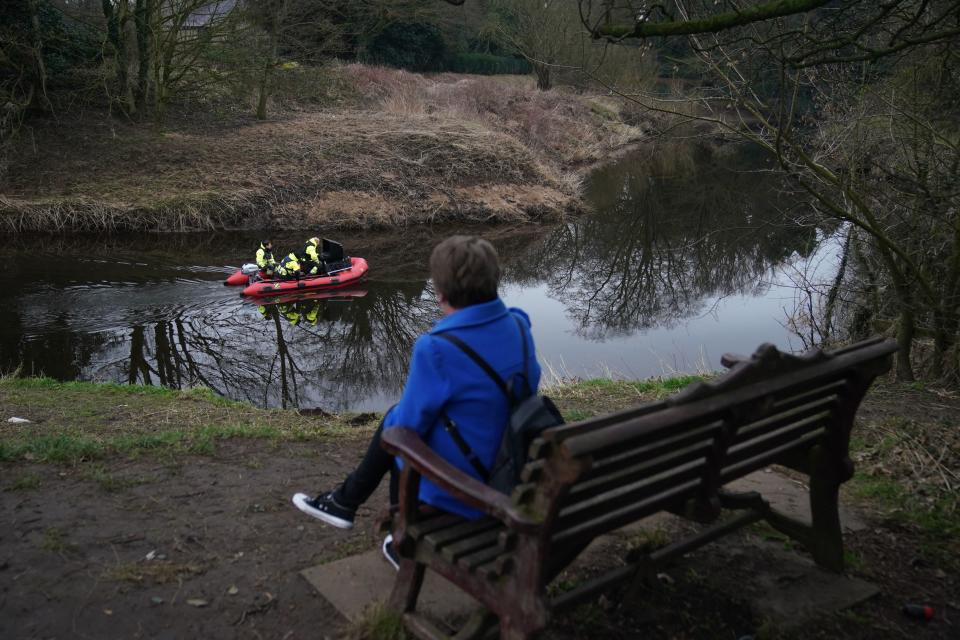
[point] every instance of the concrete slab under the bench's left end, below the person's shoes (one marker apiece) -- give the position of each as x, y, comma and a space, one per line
352, 584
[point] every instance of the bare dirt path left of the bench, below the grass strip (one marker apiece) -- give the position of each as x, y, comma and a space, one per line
220, 531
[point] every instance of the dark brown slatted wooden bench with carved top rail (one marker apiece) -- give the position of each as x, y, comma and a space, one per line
589, 478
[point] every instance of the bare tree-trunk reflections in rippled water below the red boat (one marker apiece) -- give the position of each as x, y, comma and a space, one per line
332, 352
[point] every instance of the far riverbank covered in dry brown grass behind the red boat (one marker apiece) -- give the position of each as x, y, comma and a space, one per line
368, 147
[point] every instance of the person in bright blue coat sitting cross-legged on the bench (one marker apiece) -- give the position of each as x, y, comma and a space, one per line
444, 382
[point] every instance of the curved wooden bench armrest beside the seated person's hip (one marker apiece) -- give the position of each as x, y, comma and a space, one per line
407, 444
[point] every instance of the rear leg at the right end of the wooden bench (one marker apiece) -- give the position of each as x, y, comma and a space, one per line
826, 532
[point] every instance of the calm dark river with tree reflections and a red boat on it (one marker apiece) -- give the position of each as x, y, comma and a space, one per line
688, 254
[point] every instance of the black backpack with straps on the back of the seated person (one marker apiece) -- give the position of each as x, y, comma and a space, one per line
530, 414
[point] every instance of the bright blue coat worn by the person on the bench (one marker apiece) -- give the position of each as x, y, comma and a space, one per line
444, 380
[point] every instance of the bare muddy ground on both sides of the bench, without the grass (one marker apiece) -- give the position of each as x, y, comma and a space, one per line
179, 546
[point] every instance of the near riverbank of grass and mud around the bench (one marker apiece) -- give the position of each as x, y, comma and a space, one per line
143, 511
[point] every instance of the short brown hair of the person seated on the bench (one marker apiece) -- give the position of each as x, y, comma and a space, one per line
466, 270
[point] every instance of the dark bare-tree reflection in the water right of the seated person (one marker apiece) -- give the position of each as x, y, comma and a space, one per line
661, 243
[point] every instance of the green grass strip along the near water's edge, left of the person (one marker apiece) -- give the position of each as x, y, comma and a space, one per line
74, 422
